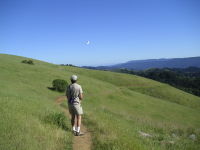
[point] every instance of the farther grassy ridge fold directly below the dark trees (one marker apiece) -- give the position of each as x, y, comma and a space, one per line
143, 85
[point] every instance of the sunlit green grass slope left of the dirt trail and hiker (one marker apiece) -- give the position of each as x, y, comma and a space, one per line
25, 102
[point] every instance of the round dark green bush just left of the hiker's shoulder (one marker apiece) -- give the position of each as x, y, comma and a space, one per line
59, 85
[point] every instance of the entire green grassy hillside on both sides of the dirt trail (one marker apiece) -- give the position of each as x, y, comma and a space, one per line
118, 108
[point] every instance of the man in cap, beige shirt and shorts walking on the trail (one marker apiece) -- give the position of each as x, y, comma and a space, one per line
74, 95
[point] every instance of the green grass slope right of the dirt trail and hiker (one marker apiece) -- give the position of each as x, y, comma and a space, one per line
116, 109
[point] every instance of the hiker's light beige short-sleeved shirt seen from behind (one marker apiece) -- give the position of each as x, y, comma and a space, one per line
73, 92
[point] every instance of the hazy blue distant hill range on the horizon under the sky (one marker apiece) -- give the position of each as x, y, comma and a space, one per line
154, 63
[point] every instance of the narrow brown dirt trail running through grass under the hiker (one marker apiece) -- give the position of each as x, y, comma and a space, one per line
83, 142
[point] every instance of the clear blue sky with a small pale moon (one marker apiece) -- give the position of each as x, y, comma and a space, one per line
99, 32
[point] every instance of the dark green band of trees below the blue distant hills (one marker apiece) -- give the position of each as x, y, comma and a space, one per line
187, 79
